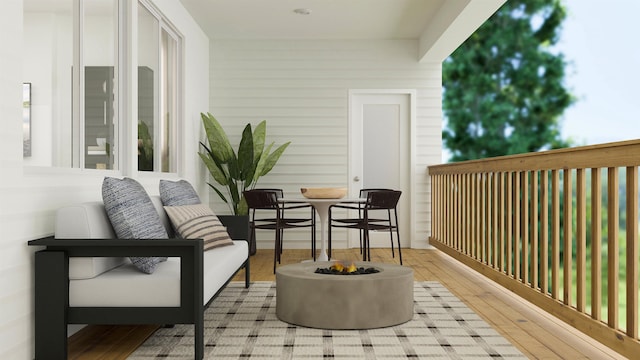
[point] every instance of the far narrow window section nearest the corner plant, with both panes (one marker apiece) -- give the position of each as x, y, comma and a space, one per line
158, 47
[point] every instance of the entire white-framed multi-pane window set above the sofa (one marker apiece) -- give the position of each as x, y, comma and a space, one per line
75, 61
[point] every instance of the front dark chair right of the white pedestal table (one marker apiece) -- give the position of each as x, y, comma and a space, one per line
378, 201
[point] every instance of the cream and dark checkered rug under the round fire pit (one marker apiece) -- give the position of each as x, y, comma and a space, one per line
242, 324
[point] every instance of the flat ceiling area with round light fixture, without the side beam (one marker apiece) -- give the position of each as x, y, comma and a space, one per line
329, 19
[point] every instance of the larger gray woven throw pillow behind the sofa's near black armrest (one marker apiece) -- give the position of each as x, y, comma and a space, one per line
133, 216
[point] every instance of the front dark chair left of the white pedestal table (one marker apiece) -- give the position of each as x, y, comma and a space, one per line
266, 200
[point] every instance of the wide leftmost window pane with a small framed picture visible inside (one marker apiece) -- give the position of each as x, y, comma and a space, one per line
47, 65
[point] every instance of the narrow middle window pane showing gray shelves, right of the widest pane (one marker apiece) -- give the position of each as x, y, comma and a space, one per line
99, 49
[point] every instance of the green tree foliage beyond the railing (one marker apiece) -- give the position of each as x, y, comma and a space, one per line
503, 88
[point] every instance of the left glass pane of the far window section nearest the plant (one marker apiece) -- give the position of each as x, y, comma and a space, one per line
148, 70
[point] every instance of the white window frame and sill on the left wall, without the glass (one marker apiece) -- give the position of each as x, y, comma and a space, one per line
125, 101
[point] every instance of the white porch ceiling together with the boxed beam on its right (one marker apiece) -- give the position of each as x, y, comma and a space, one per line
440, 26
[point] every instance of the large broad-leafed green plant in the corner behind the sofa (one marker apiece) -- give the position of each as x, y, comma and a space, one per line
236, 172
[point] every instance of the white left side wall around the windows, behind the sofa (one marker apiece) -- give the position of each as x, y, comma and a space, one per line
29, 196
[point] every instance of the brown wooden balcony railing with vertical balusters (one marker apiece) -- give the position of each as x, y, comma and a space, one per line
559, 228
